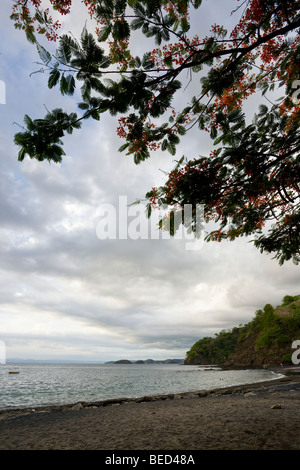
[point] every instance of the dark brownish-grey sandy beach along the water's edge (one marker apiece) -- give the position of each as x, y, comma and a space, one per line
264, 416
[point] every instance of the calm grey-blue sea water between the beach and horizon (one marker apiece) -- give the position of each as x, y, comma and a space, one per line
52, 384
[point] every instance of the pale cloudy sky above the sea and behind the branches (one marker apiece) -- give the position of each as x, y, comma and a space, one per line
65, 292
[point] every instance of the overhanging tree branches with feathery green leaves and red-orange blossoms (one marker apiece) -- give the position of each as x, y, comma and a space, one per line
250, 182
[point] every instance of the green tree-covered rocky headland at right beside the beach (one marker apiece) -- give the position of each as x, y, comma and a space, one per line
266, 340
